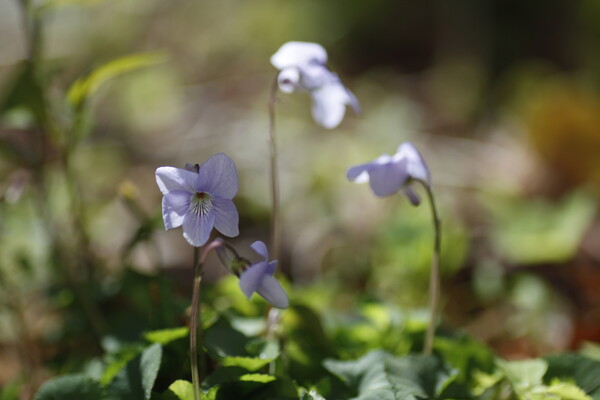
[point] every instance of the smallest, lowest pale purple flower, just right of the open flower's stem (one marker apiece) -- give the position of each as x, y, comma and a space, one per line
259, 278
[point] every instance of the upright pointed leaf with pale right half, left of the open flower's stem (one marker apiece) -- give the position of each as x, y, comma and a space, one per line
136, 379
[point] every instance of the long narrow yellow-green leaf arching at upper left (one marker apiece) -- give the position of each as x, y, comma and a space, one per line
83, 88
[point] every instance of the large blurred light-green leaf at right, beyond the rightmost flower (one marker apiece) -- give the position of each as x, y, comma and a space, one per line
535, 231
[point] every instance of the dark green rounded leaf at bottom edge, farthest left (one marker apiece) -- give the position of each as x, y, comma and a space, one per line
70, 387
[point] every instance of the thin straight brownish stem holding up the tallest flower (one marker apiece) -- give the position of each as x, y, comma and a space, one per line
275, 225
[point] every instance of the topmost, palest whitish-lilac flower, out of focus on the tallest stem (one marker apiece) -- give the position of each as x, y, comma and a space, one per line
303, 68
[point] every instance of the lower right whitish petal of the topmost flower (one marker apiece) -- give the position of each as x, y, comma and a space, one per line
329, 104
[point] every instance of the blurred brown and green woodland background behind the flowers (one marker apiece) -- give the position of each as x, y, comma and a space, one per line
502, 98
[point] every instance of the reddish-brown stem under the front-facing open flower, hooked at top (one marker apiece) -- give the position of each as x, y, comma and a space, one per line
196, 330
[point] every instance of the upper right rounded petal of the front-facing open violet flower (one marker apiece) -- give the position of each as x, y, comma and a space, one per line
218, 176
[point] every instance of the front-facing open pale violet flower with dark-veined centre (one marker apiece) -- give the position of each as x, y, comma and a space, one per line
200, 198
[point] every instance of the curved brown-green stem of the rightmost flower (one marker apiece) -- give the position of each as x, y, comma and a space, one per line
434, 282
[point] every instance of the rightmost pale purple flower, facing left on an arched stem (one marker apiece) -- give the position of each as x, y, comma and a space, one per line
389, 174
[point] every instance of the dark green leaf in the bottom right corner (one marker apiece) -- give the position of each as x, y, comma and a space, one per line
584, 371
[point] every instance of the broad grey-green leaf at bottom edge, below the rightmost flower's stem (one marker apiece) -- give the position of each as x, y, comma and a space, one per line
380, 375
